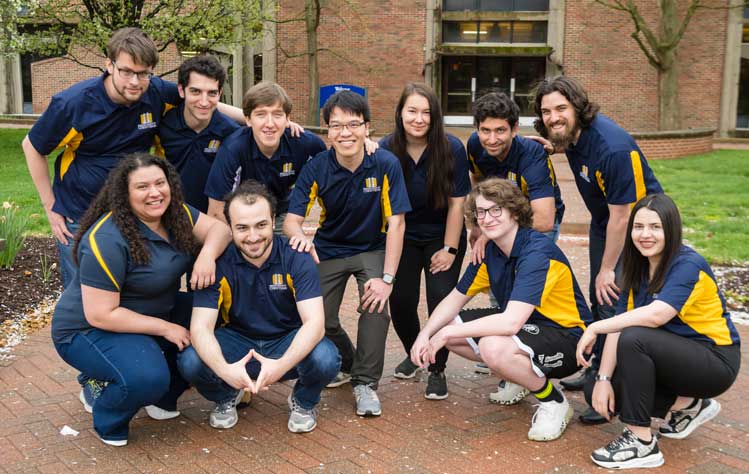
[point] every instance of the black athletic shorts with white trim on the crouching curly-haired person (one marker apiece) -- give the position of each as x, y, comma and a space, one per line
551, 349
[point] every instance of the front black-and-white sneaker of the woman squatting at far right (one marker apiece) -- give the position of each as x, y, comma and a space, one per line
627, 452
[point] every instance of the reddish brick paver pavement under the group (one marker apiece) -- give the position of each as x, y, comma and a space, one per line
465, 433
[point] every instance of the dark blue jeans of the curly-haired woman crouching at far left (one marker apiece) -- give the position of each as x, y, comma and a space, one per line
140, 370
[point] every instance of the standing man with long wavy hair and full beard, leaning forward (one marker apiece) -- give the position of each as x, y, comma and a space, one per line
611, 174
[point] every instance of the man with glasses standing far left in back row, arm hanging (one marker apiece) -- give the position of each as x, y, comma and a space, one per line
96, 122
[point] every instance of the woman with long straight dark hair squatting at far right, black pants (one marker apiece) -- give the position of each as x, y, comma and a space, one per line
672, 347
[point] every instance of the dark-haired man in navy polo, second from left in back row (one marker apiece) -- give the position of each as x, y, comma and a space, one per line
190, 134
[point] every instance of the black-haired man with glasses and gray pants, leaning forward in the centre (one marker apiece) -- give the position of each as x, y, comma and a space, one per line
364, 199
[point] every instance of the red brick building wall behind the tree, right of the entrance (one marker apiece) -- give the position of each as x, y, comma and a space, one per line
600, 52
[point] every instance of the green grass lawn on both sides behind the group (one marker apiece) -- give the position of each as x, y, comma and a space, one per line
712, 192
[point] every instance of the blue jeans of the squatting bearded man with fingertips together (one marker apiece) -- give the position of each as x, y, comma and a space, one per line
314, 372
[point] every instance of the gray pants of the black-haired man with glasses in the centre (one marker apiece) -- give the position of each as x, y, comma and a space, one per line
365, 363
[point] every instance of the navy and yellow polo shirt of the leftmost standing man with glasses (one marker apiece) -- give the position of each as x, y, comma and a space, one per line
94, 134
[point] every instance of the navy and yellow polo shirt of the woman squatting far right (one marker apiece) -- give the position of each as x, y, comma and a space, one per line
691, 289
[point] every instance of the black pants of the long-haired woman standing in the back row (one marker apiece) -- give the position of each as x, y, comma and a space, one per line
404, 300
